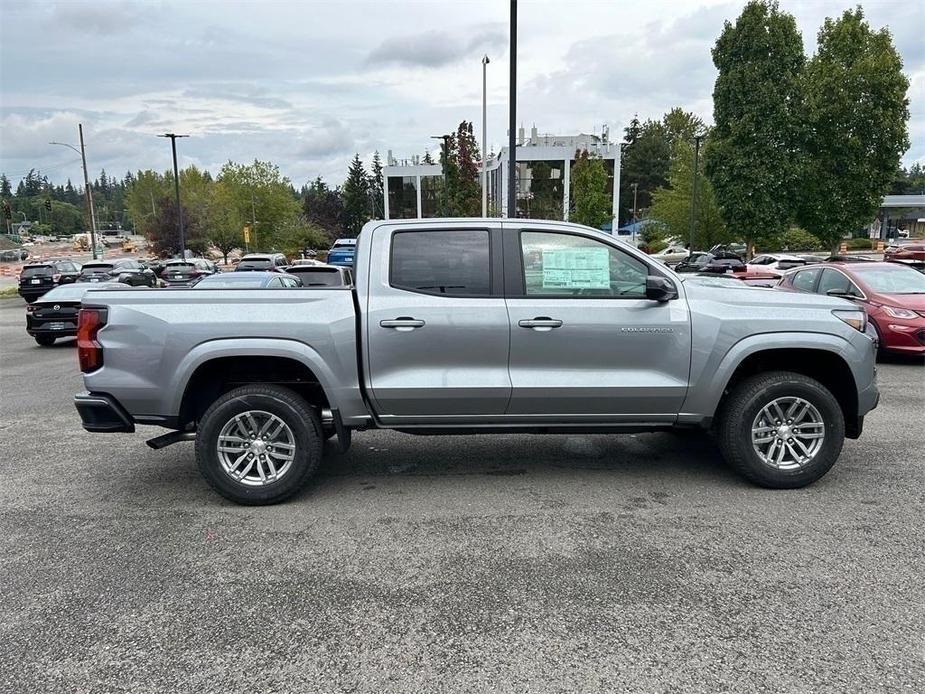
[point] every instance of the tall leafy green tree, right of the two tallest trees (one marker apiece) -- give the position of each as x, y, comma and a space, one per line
855, 116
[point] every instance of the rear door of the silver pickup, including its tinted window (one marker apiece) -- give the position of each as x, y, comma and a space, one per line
437, 325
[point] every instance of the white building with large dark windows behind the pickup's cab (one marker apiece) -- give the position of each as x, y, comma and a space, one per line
543, 178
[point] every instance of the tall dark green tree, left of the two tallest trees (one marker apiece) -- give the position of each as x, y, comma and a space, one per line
753, 160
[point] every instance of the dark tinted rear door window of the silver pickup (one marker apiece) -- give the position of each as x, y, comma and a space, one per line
455, 262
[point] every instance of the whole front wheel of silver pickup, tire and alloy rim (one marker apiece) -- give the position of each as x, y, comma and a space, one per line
781, 430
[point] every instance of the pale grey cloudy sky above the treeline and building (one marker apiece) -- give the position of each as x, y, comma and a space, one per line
307, 84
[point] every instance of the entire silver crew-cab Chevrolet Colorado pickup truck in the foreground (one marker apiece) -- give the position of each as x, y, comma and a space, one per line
475, 326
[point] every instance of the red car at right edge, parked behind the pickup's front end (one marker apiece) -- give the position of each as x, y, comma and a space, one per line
892, 295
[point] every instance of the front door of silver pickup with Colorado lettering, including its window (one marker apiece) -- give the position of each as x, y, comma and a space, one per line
585, 342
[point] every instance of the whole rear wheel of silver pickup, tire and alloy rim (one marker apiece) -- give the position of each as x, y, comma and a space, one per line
259, 444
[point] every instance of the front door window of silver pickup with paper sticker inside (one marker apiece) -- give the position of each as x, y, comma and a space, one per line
566, 265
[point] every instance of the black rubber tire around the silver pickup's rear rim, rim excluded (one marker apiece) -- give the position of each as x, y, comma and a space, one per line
298, 415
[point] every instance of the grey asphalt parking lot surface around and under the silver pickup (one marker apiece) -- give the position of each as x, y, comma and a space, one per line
509, 563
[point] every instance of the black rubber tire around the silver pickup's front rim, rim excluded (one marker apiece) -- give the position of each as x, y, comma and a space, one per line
741, 407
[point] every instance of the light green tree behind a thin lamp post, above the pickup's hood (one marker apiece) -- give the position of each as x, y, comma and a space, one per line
671, 205
